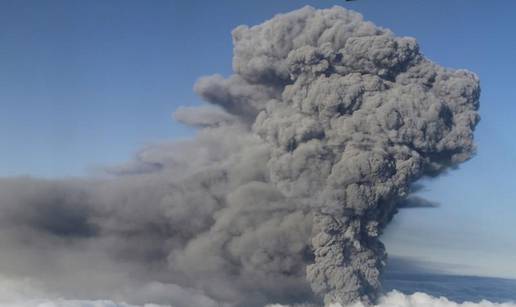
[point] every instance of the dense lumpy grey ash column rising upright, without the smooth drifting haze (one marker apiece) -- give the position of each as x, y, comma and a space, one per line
354, 115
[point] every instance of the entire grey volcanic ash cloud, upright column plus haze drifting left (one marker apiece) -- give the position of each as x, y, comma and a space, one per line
315, 140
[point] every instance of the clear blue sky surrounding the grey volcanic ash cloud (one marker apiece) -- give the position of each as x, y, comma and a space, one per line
86, 83
